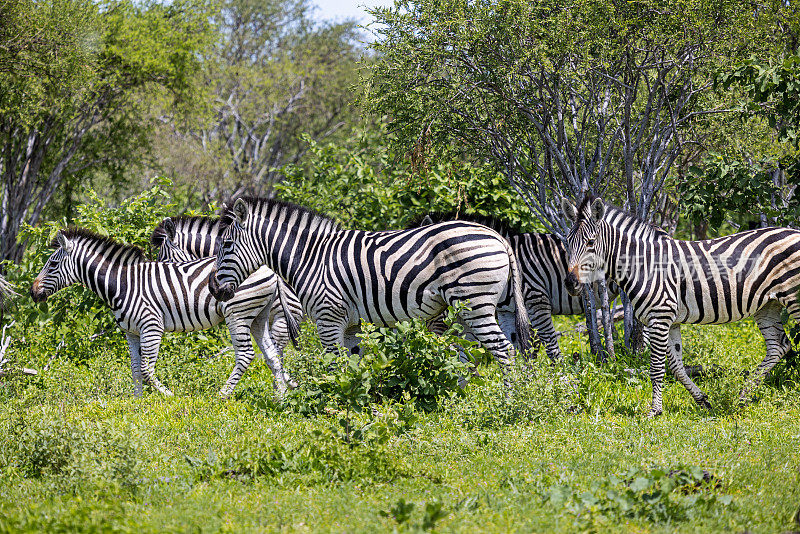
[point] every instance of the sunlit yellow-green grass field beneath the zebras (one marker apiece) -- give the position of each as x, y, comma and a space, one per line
569, 451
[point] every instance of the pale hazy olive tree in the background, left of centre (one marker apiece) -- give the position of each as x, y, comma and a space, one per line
274, 74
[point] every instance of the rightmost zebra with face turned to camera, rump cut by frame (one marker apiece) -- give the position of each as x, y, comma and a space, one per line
671, 282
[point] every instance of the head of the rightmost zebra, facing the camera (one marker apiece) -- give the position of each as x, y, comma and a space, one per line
584, 243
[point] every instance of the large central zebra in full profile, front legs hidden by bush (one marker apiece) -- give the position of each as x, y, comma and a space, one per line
343, 276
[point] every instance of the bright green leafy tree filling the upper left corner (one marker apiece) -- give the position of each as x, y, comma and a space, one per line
71, 76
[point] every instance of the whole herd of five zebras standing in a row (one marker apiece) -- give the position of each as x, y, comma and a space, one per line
264, 265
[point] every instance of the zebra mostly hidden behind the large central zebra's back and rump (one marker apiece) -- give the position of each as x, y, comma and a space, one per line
542, 260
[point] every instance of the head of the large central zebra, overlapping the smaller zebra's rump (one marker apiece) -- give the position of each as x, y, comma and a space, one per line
236, 259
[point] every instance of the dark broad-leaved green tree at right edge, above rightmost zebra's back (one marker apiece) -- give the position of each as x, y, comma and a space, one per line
756, 182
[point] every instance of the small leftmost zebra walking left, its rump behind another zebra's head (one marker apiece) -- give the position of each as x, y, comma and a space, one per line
149, 298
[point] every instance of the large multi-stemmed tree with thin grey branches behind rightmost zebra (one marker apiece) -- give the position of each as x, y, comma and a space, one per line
592, 97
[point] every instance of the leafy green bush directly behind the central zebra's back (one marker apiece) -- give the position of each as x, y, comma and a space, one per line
369, 186
